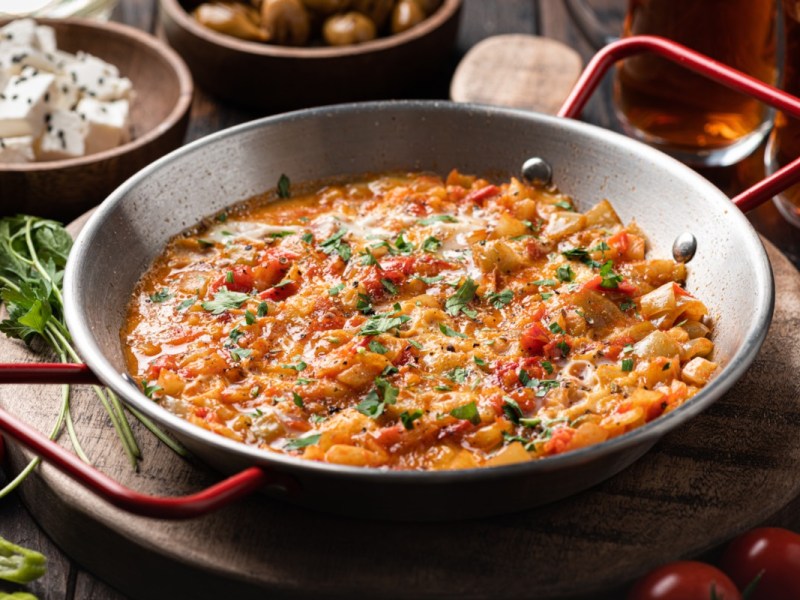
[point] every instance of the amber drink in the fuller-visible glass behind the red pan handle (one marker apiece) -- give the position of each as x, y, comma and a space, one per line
684, 113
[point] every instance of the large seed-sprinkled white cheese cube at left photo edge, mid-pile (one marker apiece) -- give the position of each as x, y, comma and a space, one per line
23, 104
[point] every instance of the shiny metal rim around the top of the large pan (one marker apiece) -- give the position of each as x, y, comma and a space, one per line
651, 432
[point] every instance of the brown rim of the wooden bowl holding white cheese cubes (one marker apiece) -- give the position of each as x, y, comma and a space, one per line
137, 36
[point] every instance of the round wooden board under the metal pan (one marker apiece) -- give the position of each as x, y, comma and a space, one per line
733, 467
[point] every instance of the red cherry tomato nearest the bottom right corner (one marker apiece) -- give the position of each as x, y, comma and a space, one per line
771, 550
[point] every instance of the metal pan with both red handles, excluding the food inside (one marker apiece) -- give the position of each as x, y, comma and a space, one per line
729, 271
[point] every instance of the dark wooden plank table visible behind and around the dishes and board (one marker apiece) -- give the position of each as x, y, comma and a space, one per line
481, 18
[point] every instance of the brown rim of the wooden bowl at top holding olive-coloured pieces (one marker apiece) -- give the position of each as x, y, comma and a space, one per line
442, 15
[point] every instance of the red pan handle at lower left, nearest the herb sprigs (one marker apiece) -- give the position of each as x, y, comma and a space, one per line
200, 503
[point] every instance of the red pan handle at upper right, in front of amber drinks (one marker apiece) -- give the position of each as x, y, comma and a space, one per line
727, 76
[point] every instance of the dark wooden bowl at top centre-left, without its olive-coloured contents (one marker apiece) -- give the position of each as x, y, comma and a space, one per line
276, 78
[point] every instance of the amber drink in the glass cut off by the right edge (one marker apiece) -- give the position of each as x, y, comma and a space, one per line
784, 143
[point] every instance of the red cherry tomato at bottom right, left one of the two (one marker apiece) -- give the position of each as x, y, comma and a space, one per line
685, 580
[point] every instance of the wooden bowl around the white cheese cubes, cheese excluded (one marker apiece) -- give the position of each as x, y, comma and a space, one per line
162, 85
